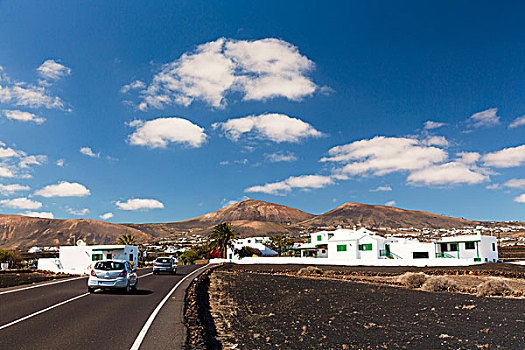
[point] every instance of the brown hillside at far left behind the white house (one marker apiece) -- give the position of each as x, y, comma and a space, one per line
17, 231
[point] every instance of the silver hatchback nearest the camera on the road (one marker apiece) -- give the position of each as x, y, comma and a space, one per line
113, 274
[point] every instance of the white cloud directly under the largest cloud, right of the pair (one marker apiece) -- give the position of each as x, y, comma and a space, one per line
275, 127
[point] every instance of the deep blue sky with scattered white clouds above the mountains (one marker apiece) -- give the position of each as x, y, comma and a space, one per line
151, 112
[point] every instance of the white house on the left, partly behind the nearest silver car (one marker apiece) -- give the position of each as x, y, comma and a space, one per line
79, 259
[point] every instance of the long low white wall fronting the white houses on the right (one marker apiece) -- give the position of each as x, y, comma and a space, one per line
326, 261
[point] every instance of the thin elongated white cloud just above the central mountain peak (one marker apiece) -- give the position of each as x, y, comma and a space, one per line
304, 182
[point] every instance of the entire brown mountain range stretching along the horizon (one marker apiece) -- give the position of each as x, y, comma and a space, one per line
248, 218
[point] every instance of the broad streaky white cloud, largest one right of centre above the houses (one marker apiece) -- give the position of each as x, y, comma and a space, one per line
383, 155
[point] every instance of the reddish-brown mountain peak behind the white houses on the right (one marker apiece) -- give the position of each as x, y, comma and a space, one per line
350, 214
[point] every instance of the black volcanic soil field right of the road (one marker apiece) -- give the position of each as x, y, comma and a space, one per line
254, 310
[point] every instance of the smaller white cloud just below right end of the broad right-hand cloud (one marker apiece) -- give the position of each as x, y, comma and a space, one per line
448, 173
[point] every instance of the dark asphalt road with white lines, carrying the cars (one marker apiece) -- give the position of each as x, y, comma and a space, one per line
64, 316
